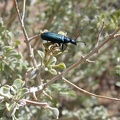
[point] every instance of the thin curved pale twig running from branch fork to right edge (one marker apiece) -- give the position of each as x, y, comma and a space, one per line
88, 93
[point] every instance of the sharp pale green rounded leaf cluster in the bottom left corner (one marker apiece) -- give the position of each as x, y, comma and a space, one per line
10, 96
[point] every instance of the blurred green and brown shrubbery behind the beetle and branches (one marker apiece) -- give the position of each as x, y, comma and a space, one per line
73, 17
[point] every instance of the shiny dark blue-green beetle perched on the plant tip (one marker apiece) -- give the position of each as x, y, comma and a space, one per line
58, 38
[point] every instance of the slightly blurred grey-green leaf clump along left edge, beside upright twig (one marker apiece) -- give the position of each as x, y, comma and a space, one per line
12, 64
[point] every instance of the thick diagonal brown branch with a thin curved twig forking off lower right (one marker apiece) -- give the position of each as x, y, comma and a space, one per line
80, 61
